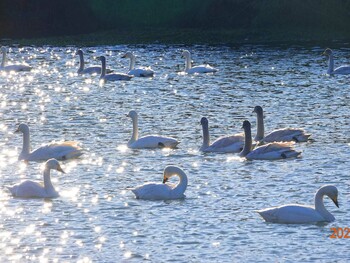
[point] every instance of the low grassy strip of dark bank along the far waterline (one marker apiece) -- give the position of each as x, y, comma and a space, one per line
186, 36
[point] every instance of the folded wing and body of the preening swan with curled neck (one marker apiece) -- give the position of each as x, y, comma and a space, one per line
153, 191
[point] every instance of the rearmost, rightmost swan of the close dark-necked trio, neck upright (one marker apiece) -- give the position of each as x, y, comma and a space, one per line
280, 135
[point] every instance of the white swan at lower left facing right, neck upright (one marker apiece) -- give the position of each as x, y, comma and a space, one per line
30, 189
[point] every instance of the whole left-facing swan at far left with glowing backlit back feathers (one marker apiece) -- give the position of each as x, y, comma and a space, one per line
60, 150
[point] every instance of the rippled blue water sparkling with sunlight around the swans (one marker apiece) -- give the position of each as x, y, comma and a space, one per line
97, 218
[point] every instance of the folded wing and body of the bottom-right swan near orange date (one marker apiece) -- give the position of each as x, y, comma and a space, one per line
291, 214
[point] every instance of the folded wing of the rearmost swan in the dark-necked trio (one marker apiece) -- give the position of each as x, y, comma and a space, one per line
287, 135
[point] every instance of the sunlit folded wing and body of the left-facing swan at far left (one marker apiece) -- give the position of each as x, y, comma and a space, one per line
59, 151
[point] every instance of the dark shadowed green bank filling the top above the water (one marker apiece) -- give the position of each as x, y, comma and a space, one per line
97, 22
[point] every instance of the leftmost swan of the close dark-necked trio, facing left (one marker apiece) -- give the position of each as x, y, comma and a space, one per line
225, 144
